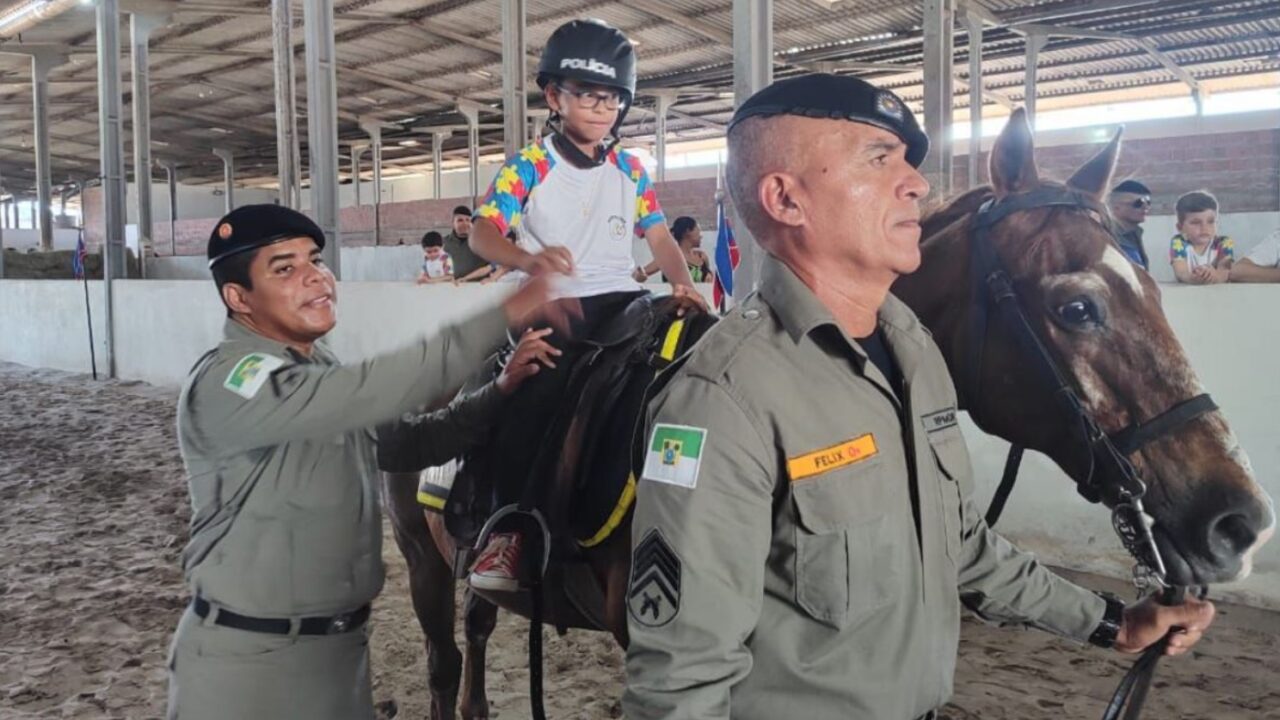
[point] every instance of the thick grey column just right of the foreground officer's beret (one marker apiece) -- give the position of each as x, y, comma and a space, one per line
938, 99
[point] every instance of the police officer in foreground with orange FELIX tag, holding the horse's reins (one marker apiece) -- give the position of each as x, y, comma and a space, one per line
803, 535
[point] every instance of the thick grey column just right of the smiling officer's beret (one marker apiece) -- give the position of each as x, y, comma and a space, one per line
323, 124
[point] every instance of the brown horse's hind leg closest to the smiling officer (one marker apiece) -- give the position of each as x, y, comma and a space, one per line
432, 590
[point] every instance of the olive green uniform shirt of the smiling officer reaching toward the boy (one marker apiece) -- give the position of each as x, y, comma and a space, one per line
281, 463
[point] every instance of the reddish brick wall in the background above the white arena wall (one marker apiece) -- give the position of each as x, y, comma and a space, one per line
1238, 167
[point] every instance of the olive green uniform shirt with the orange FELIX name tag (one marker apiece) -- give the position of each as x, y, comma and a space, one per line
821, 554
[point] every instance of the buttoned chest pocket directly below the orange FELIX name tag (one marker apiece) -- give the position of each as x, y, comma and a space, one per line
844, 567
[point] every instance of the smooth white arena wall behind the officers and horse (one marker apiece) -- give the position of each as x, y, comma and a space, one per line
163, 327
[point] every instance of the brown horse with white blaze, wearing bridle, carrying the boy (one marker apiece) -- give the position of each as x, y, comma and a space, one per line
1103, 321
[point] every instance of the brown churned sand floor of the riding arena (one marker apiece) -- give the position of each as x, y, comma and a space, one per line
94, 516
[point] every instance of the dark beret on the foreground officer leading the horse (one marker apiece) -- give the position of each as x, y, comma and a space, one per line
839, 98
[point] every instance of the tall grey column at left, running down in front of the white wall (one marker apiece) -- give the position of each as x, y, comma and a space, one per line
112, 161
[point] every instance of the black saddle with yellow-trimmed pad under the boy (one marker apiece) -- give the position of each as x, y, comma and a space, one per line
583, 479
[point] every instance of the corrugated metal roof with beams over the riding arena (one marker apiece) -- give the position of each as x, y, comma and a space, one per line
213, 75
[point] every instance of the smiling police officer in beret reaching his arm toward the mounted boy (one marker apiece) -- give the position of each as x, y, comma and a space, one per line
286, 535
